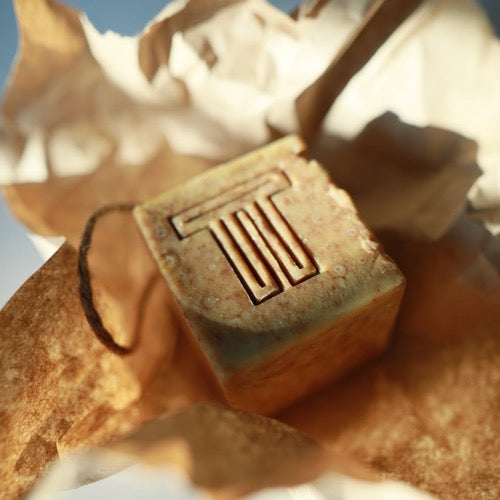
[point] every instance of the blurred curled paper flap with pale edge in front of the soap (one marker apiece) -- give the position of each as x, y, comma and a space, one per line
226, 452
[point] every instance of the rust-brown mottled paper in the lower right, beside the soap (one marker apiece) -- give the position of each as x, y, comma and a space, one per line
427, 411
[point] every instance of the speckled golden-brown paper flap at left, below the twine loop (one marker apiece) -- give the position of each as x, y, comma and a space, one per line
69, 377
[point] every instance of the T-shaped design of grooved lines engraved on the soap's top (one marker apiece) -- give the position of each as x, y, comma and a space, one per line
260, 245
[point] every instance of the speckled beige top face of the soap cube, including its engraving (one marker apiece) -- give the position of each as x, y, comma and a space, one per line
263, 250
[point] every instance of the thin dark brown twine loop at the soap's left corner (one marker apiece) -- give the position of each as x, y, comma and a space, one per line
86, 292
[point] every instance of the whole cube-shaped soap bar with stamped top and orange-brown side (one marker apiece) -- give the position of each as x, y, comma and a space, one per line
278, 281
